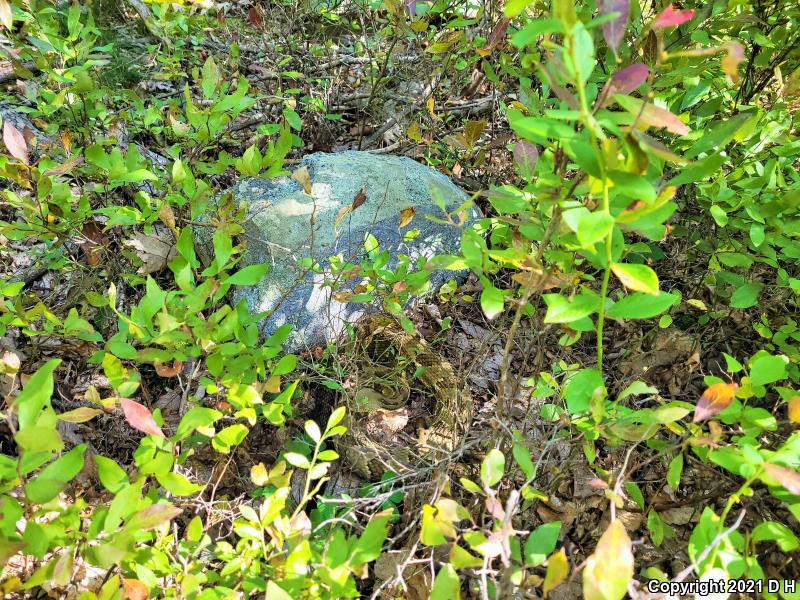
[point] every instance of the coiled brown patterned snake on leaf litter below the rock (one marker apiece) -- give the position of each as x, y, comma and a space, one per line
388, 365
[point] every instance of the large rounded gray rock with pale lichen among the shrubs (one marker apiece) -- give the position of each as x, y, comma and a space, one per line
279, 232
